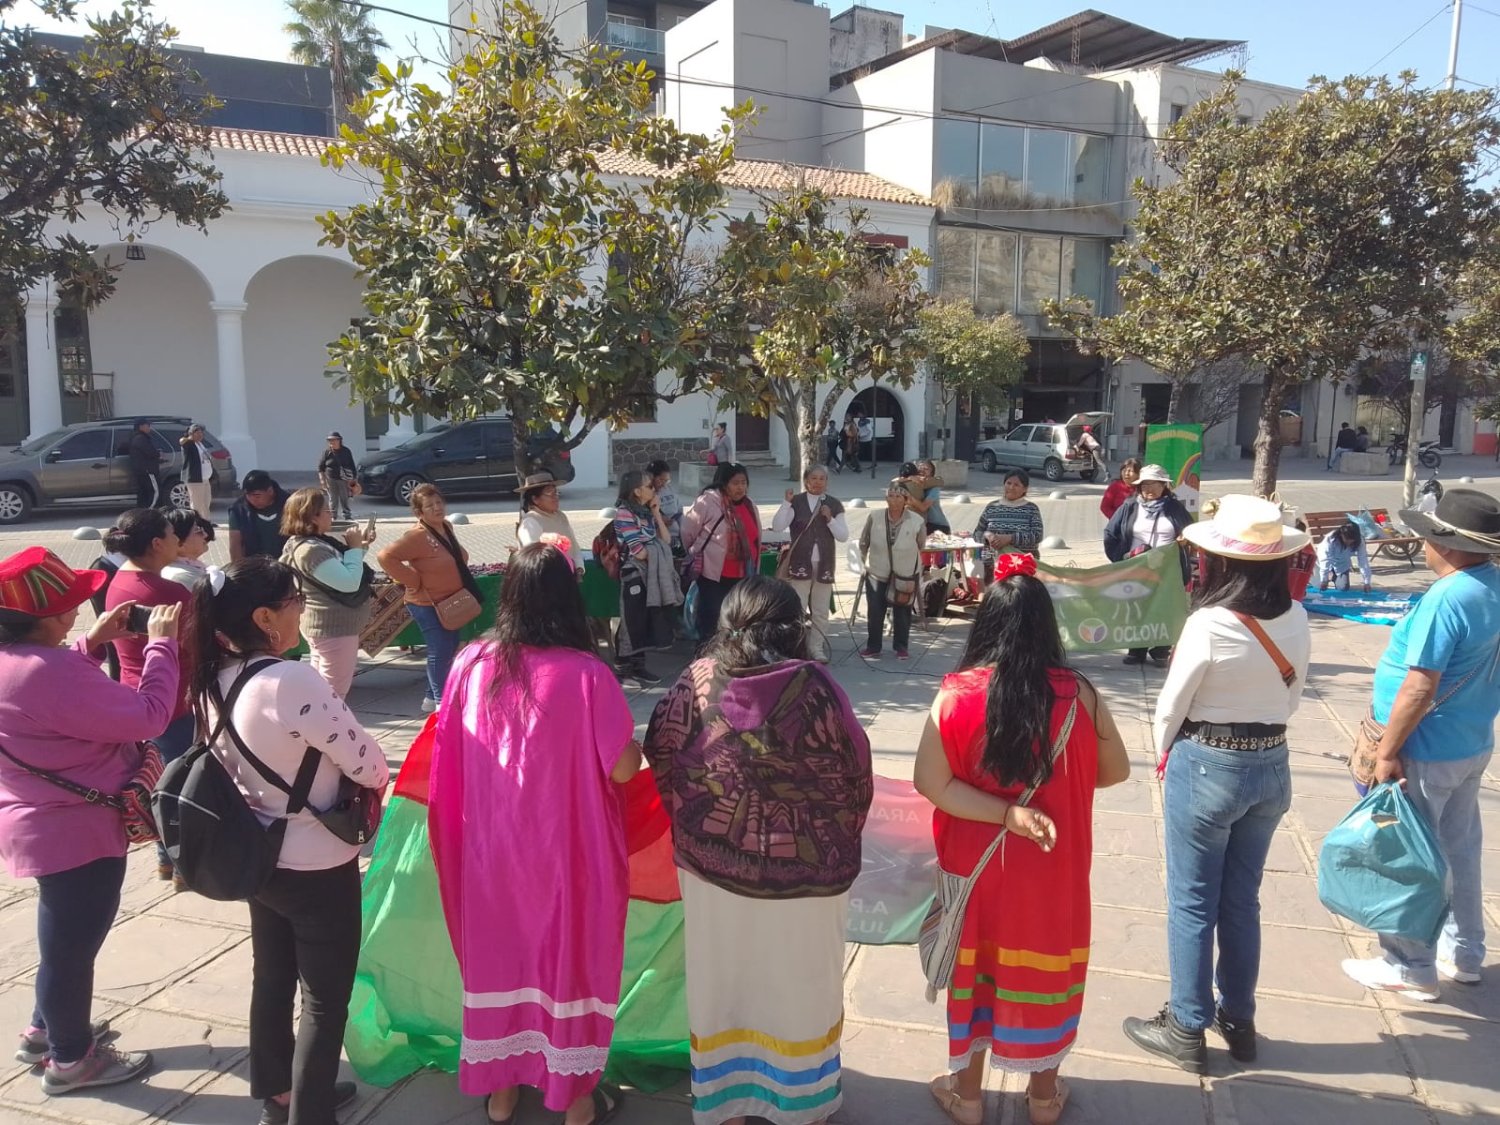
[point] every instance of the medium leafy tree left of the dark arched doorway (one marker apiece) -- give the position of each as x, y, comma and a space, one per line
821, 307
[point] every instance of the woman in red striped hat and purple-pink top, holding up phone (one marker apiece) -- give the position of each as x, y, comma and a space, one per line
59, 713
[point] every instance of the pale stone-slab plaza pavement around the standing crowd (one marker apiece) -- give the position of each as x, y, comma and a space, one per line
175, 974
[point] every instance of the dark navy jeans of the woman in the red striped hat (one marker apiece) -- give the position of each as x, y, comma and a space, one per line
74, 914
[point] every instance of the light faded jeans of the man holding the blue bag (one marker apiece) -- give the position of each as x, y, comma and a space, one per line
1448, 797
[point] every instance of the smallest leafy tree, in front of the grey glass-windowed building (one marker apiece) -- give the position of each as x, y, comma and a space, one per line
970, 356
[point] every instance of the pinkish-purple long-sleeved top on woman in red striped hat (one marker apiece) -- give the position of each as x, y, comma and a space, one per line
61, 713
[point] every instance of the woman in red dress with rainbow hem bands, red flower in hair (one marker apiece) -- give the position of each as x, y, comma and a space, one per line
1013, 716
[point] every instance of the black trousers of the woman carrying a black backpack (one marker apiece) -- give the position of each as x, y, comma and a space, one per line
305, 928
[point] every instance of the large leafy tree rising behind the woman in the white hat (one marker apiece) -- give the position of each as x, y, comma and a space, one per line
1345, 223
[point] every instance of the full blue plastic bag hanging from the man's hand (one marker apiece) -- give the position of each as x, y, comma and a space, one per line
1382, 868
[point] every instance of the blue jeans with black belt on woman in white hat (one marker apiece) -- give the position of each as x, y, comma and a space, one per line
1222, 811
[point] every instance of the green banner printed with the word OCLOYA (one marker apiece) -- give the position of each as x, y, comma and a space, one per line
1136, 604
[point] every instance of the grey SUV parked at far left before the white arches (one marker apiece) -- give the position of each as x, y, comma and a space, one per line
88, 464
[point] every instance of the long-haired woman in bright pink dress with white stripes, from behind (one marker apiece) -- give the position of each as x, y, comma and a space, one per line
527, 824
